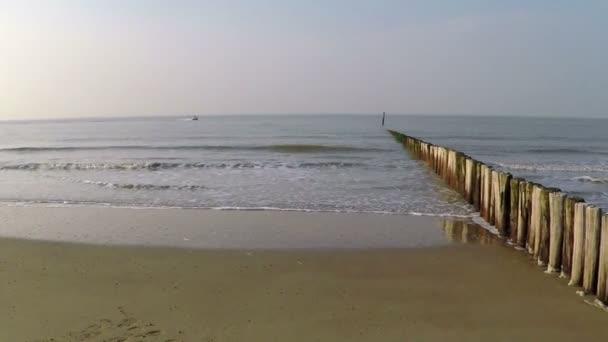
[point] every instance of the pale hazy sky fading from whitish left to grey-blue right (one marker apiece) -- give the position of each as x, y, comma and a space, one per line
65, 58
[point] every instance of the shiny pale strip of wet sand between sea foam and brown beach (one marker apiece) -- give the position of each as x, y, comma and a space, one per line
223, 229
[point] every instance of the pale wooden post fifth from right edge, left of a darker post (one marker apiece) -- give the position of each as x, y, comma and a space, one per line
556, 230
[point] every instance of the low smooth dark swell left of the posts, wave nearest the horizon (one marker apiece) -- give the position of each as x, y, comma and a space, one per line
281, 148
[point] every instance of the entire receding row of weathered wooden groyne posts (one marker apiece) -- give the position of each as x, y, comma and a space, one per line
561, 232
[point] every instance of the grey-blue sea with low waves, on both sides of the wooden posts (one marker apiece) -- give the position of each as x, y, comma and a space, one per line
334, 163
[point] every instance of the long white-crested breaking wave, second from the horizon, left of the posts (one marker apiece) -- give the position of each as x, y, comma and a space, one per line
156, 166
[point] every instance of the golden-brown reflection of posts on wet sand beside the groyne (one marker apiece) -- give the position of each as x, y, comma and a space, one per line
469, 232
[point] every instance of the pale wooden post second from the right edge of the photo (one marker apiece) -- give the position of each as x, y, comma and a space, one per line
592, 246
